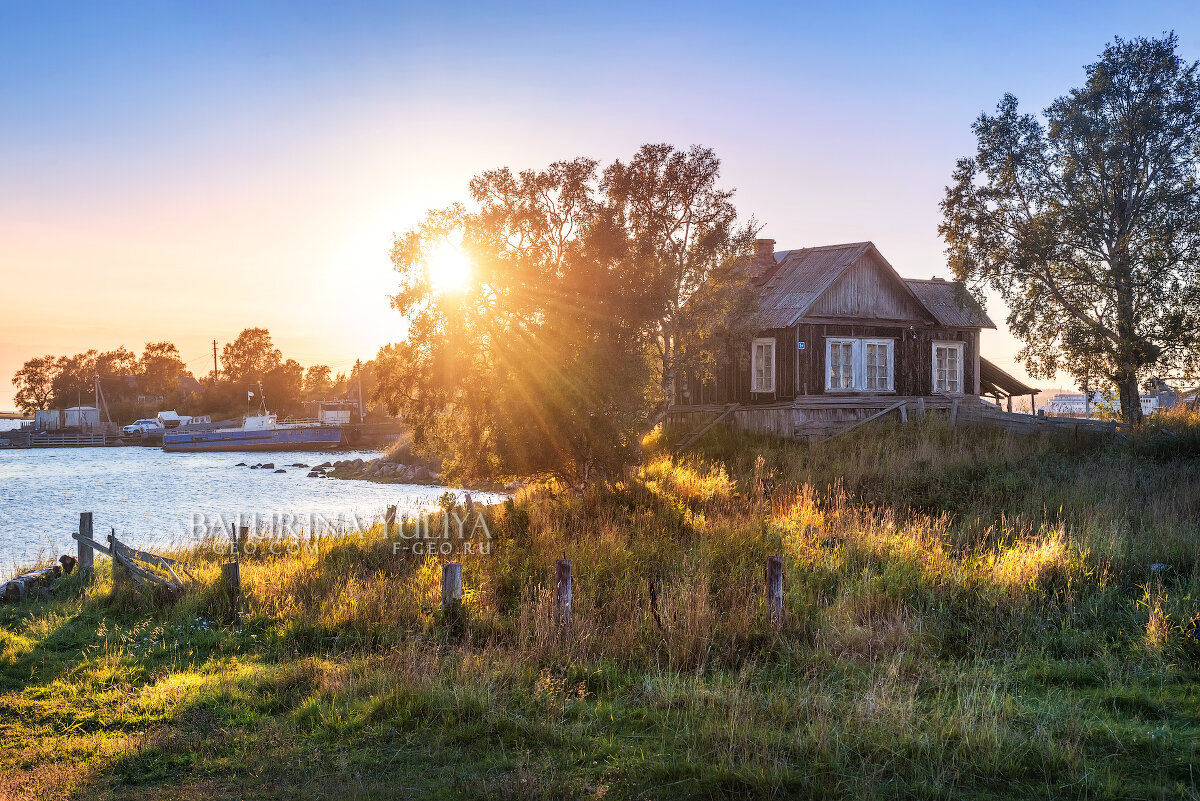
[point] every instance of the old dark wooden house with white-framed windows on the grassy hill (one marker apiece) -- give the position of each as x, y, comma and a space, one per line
842, 338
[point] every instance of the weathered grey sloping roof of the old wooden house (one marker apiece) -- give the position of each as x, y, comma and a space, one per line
800, 278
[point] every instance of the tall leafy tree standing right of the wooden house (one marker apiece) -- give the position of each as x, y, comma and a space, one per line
1088, 221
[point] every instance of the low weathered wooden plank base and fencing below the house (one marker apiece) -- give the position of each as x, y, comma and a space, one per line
821, 417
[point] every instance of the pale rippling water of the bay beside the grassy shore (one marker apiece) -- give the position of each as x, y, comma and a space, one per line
157, 498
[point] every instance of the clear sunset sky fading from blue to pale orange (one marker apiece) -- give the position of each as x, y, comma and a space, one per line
182, 172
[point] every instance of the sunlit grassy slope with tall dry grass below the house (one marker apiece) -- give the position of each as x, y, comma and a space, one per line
968, 616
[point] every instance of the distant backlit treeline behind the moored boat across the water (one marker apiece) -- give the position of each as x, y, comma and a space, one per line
137, 386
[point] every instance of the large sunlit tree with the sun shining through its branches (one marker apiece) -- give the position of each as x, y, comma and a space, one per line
542, 360
